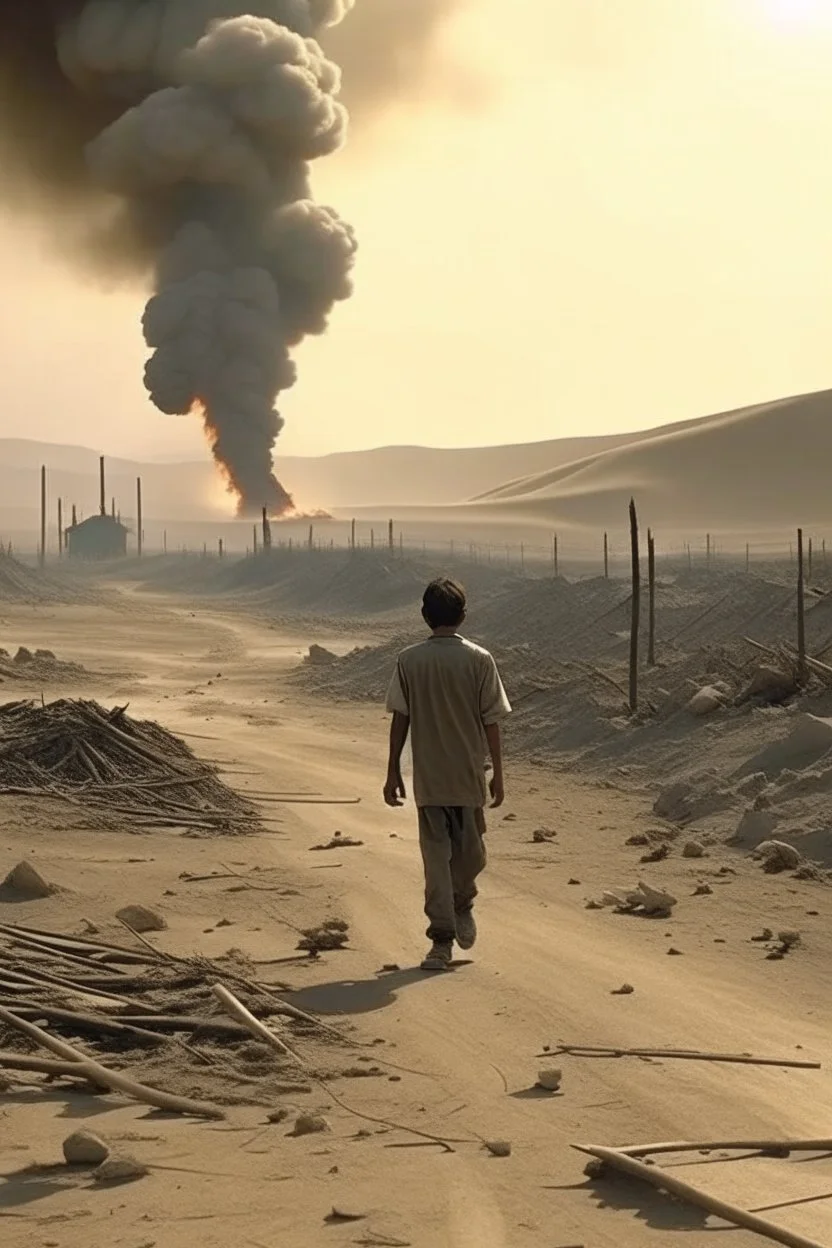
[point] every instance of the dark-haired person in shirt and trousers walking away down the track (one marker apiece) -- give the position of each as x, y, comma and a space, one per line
447, 693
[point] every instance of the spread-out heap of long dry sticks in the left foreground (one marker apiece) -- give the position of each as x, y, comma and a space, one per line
150, 1024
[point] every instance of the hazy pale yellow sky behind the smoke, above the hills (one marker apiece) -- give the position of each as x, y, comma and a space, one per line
638, 229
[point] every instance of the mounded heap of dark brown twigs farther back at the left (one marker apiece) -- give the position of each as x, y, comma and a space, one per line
135, 769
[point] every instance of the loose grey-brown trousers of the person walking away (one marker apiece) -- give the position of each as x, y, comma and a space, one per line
453, 852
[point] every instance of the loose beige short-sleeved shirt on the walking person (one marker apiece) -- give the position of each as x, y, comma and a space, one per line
450, 690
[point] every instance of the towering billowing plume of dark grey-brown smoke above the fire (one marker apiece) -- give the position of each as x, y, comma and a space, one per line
178, 135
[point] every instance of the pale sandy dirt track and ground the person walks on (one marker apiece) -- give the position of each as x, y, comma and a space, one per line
460, 1050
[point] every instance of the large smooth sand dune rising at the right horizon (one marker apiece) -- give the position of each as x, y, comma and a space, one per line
759, 467
